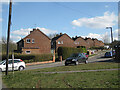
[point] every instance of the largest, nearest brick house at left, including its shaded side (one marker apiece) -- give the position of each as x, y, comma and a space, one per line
34, 43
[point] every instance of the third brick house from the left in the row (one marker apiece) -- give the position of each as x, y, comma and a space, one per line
79, 41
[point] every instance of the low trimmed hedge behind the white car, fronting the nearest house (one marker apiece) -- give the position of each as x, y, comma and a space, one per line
30, 57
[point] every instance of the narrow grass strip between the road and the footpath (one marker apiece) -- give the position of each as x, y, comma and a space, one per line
89, 66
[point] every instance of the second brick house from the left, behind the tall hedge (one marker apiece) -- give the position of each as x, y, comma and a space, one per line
63, 40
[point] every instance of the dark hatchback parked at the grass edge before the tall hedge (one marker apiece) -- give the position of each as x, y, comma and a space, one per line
76, 58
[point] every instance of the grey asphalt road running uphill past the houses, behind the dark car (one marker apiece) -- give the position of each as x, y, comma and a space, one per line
97, 58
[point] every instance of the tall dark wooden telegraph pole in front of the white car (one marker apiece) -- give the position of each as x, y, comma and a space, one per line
8, 36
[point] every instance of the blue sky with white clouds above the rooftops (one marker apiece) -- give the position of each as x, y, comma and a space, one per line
86, 19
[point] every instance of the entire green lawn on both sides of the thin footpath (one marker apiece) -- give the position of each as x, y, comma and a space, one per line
34, 79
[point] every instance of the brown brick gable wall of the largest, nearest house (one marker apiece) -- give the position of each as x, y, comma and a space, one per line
40, 41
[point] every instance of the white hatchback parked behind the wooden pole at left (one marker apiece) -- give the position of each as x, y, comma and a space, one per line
18, 65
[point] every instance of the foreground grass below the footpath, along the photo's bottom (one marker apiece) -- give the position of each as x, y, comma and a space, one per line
29, 79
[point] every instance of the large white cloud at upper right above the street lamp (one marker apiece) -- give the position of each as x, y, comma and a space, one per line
98, 22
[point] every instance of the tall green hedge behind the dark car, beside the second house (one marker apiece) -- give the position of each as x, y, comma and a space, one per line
65, 52
